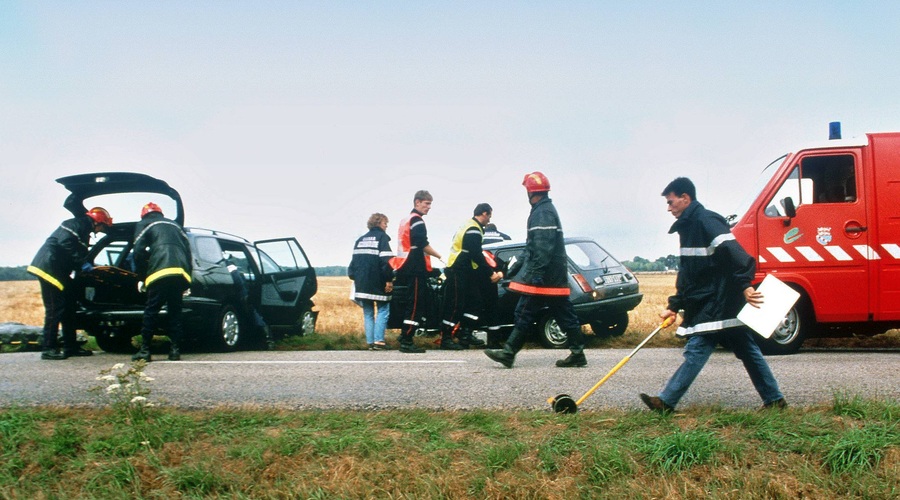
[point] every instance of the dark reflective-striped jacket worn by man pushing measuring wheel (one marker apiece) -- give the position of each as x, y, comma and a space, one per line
713, 272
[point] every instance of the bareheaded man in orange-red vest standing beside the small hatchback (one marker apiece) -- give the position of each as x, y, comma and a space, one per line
413, 265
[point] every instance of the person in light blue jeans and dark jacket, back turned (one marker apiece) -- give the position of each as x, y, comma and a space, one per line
373, 279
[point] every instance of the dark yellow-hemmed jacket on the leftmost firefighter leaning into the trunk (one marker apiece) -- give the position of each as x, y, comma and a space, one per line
63, 252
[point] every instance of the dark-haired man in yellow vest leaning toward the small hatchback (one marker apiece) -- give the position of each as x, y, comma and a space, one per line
467, 269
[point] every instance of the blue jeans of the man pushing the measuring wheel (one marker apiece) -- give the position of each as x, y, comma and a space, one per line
697, 352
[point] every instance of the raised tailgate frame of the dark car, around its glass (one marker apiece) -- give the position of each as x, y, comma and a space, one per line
84, 186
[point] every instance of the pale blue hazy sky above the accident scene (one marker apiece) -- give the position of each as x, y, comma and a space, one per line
302, 118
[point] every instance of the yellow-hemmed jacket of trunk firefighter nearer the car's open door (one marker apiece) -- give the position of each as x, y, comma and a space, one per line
161, 249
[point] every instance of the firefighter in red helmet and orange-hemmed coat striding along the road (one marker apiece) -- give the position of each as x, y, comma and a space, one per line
542, 277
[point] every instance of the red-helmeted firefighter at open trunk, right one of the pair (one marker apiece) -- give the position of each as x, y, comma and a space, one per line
162, 257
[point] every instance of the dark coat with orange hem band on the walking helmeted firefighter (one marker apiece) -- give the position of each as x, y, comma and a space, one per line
544, 267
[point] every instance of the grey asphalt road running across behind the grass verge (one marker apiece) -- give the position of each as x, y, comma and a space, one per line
443, 380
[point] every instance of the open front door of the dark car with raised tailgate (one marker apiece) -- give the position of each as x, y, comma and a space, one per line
287, 283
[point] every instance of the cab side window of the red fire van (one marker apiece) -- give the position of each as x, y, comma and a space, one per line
817, 179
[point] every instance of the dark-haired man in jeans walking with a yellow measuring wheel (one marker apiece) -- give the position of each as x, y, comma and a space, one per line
713, 284
